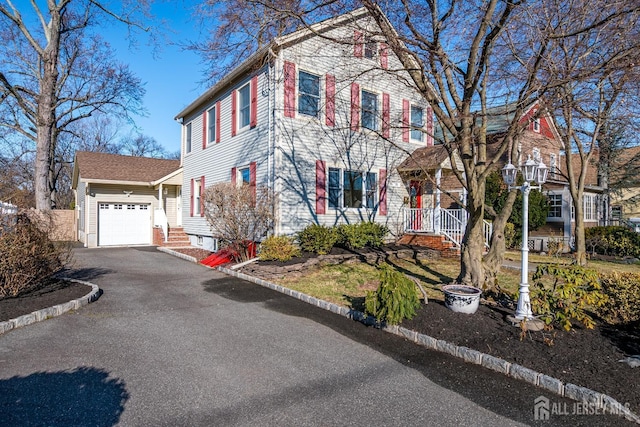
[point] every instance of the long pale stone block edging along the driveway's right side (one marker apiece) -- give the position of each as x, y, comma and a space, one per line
554, 385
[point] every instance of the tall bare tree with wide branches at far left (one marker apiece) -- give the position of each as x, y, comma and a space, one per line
55, 71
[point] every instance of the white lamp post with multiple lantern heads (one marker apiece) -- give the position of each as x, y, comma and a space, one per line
532, 171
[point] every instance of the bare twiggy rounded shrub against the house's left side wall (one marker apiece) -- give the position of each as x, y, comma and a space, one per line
239, 215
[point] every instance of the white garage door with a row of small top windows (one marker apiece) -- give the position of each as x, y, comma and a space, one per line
124, 224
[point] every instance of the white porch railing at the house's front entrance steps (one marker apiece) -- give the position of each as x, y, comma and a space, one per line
448, 222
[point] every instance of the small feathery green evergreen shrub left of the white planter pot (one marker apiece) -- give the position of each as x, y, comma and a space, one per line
395, 299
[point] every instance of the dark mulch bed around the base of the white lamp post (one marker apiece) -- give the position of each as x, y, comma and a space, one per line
585, 357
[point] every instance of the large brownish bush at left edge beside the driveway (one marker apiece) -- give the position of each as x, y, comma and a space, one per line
28, 258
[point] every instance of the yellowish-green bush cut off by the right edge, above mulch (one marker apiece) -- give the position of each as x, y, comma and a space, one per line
623, 293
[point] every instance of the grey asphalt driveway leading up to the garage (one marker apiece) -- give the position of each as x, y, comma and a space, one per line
176, 344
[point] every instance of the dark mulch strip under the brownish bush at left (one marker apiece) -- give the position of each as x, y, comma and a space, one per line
55, 293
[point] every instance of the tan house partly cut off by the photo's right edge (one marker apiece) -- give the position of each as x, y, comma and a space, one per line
625, 197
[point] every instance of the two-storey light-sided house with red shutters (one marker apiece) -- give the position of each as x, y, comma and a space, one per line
318, 117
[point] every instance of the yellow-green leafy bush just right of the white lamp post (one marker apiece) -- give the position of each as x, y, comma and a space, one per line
571, 291
